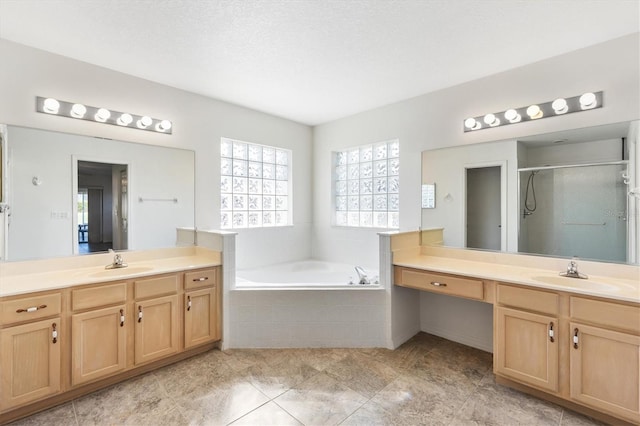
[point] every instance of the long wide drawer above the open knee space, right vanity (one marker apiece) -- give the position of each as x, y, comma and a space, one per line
440, 283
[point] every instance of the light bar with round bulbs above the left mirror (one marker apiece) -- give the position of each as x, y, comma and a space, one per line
102, 115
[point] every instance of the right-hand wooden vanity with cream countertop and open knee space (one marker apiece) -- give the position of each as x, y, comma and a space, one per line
571, 341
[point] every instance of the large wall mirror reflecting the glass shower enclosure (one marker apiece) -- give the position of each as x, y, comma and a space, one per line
564, 194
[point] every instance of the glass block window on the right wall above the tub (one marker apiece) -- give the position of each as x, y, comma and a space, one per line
366, 185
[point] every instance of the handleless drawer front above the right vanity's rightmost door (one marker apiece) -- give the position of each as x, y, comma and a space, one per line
616, 315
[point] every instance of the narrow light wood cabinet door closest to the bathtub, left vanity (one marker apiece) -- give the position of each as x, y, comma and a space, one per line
201, 317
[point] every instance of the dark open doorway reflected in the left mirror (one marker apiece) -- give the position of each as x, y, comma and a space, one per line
101, 206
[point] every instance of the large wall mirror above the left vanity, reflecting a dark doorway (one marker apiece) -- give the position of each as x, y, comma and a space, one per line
70, 194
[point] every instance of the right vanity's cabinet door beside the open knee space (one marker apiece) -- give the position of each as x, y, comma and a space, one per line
526, 348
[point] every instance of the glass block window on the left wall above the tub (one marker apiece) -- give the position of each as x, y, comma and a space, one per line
255, 185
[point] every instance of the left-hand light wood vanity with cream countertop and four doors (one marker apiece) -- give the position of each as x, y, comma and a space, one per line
68, 331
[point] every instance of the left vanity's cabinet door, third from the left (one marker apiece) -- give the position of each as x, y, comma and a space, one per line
156, 334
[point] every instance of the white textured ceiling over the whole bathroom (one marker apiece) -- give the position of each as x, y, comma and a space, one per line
314, 61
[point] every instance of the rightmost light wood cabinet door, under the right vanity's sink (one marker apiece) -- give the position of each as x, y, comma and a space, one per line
605, 370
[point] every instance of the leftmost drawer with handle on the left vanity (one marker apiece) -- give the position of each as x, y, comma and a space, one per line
30, 308
